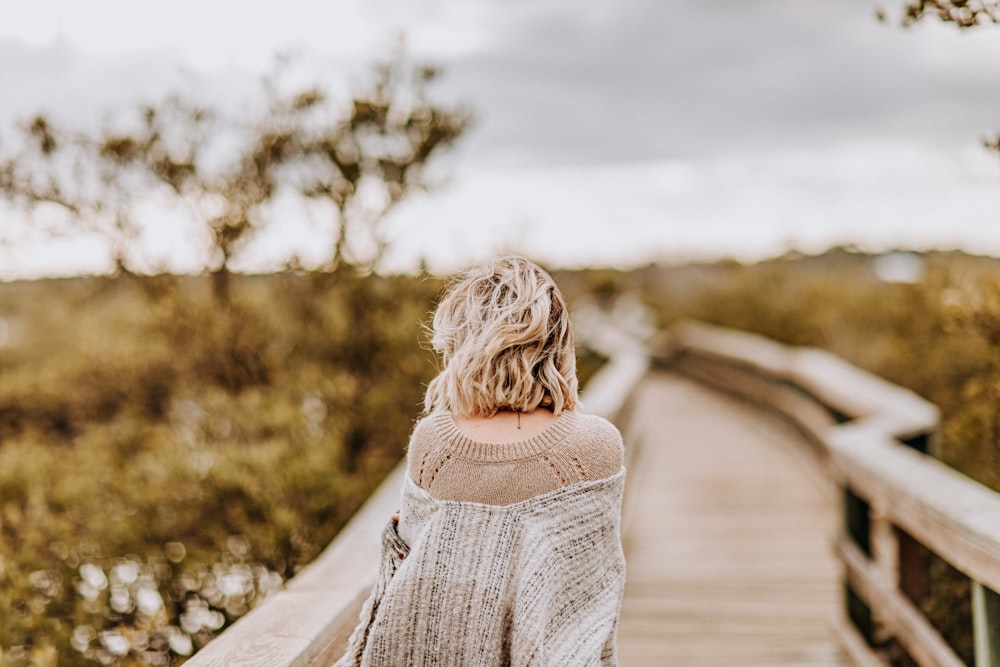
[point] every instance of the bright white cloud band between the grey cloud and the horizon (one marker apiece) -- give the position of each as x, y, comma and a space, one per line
747, 207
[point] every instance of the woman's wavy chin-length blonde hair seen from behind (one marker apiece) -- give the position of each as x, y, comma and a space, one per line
504, 336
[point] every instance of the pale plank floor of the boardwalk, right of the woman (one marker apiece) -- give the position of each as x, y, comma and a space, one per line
728, 530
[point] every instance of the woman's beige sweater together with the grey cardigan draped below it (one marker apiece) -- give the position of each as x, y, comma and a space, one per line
505, 555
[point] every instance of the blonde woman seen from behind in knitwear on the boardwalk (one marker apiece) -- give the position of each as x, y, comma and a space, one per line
506, 548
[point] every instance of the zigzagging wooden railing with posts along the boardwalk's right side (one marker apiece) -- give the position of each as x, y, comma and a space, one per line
901, 506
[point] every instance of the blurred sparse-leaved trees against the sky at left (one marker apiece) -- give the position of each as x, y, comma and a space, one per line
362, 158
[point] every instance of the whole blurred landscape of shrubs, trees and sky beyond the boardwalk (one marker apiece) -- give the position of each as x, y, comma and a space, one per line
222, 225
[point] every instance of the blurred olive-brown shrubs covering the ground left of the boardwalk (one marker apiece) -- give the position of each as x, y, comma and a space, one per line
163, 467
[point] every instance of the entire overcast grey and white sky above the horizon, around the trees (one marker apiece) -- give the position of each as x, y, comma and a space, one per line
607, 132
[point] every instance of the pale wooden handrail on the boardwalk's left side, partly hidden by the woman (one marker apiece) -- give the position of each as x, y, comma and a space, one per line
307, 624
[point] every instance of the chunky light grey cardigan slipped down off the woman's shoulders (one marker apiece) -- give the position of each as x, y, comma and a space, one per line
536, 583
